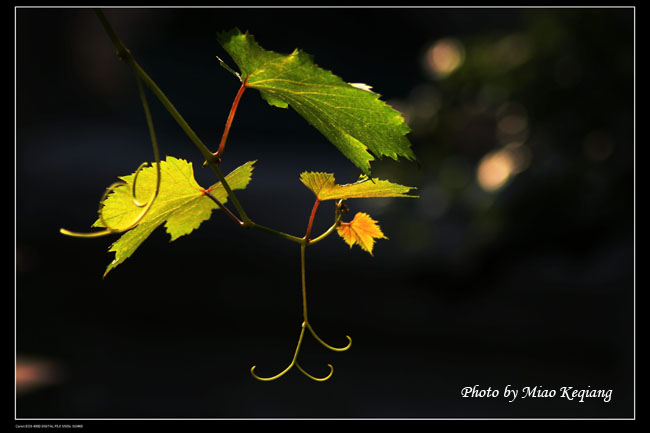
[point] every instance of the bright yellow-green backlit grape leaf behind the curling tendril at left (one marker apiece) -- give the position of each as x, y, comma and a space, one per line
181, 204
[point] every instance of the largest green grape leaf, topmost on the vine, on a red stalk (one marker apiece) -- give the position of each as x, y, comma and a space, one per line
349, 115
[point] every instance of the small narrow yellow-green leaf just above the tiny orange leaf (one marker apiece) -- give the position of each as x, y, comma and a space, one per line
324, 186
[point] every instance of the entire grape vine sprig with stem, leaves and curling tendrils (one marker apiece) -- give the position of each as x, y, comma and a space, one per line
350, 115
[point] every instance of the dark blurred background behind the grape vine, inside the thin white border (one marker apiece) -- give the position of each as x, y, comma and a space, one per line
528, 285
